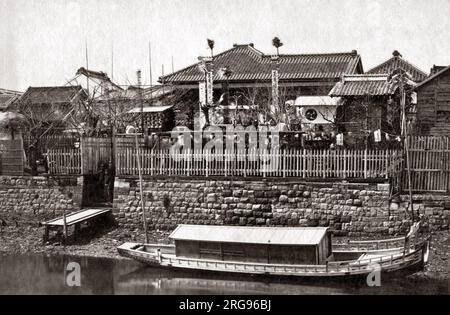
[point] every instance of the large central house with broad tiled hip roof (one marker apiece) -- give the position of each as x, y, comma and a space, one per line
243, 76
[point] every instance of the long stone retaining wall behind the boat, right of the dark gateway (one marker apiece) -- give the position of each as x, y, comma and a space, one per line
347, 208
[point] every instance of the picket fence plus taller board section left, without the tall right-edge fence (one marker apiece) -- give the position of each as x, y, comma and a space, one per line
300, 163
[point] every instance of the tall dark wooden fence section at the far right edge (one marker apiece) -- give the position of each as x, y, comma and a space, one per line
430, 164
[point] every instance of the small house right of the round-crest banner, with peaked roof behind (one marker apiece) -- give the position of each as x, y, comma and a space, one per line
370, 103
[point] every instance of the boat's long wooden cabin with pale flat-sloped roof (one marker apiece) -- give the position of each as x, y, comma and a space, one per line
279, 245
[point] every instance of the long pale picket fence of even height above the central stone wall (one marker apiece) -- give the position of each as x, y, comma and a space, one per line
284, 163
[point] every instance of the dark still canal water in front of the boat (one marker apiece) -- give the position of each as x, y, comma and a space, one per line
41, 274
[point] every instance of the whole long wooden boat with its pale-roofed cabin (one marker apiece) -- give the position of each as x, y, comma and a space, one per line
279, 251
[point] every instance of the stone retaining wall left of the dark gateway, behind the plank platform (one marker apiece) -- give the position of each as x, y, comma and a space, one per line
38, 197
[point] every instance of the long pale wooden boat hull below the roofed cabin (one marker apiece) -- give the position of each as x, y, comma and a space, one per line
393, 266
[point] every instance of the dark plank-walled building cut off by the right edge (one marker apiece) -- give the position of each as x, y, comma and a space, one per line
433, 104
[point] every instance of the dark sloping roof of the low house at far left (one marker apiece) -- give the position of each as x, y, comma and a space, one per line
54, 94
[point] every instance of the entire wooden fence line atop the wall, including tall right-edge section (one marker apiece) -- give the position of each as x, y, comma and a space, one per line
429, 161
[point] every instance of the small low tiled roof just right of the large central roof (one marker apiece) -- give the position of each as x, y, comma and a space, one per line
360, 85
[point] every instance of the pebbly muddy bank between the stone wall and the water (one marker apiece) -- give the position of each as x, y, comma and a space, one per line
27, 238
